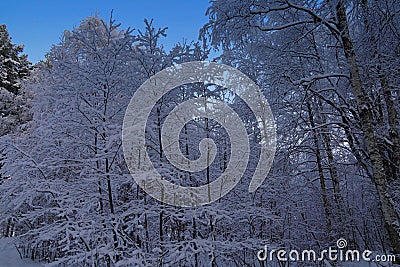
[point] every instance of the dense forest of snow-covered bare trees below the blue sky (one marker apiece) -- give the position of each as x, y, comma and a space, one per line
330, 72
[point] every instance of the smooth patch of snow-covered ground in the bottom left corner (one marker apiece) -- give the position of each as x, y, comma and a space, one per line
9, 256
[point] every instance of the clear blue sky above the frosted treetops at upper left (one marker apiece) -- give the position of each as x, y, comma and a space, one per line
39, 24
